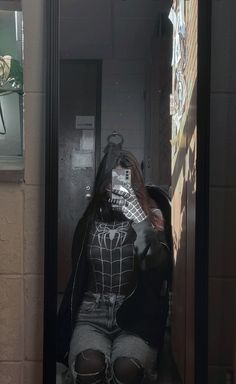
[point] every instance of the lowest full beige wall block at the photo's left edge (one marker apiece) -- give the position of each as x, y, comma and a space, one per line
11, 318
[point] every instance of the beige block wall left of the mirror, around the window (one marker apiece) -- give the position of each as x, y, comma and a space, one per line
22, 228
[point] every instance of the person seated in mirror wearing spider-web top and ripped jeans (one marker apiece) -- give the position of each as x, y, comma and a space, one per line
111, 323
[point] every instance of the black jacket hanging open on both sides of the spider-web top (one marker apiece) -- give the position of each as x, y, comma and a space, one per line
143, 312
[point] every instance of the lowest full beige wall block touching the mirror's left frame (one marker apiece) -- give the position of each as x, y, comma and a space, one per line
33, 288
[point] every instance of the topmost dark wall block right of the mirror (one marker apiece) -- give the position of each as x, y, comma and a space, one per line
223, 48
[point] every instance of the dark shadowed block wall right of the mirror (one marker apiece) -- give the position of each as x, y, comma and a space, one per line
222, 264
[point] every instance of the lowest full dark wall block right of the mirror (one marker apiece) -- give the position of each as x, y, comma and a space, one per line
221, 321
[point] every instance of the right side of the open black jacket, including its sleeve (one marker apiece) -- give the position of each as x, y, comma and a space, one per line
145, 311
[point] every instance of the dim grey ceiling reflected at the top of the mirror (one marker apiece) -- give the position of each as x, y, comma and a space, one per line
108, 29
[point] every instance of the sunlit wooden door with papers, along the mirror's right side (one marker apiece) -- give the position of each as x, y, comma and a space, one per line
184, 15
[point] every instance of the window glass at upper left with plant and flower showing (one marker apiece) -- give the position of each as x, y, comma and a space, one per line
11, 84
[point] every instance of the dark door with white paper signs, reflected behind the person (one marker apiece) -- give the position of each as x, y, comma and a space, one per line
79, 146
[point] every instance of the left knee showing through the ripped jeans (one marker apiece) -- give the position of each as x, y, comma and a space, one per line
90, 366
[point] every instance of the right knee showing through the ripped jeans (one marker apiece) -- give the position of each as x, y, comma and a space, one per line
127, 371
